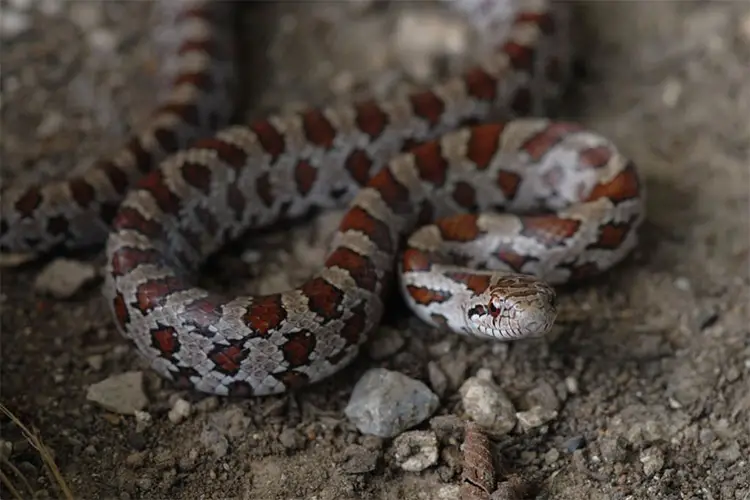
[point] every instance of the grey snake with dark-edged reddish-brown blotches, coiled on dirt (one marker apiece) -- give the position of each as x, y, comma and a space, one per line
473, 220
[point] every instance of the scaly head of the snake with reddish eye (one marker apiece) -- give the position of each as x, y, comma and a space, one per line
515, 306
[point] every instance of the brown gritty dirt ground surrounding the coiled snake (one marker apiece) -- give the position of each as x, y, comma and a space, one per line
650, 363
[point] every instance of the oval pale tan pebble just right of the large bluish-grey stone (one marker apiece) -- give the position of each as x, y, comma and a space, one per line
487, 404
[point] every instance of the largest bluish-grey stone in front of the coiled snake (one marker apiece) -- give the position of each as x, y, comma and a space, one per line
385, 403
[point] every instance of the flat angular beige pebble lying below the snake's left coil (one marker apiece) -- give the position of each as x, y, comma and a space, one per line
122, 393
